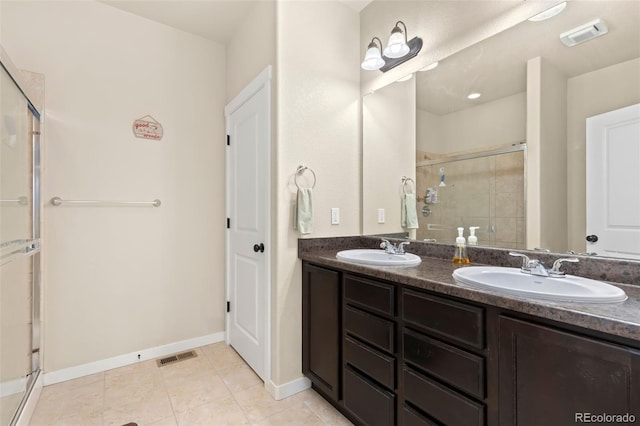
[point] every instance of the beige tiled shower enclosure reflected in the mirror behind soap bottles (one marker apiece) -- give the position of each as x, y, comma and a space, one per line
484, 189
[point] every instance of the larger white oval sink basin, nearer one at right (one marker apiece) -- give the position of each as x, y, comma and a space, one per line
512, 281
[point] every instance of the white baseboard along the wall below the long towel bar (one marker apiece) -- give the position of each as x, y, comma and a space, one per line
130, 358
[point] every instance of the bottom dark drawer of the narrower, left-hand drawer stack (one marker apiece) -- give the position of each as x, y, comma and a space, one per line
372, 404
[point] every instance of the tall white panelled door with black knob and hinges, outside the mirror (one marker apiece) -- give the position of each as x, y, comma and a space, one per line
248, 210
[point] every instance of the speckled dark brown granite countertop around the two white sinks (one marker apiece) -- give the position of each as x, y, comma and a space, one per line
434, 274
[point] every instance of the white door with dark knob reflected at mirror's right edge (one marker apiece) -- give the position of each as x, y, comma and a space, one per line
613, 183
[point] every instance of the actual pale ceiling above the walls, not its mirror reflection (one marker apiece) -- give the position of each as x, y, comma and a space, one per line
214, 20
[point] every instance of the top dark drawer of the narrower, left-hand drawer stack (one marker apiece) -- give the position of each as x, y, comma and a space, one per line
374, 295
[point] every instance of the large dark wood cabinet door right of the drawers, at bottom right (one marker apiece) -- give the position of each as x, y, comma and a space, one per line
553, 377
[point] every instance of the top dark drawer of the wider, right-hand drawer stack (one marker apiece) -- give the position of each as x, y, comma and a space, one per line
449, 319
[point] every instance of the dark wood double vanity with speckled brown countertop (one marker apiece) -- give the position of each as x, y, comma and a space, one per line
409, 346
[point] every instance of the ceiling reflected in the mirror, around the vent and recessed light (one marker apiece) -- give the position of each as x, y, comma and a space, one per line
496, 67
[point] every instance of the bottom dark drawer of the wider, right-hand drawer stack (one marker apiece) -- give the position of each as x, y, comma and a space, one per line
440, 402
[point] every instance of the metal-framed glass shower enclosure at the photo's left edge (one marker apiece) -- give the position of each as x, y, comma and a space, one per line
19, 247
